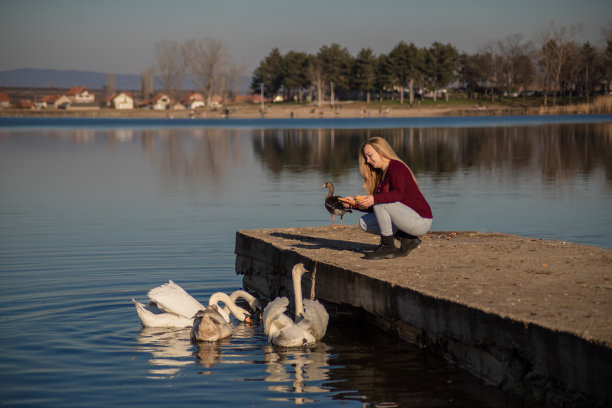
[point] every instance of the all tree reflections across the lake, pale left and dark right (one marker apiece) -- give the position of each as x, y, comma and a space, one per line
195, 155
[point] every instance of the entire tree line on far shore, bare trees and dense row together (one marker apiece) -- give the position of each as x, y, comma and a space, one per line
552, 64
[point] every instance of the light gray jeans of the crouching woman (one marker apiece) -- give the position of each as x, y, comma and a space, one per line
390, 217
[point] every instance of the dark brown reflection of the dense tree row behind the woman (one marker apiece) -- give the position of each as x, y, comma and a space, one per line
556, 150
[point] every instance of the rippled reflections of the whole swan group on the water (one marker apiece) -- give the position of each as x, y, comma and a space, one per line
294, 374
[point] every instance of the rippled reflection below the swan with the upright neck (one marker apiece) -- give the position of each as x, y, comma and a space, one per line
297, 371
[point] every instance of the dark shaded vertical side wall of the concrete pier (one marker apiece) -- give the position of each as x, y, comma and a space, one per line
538, 364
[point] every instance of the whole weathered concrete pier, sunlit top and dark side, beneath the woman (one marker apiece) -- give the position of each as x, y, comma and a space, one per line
533, 316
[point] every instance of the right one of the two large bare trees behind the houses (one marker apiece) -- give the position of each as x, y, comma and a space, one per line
207, 58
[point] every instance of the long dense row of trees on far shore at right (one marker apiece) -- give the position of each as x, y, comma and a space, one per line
554, 63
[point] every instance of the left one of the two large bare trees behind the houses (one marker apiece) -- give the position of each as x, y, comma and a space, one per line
169, 66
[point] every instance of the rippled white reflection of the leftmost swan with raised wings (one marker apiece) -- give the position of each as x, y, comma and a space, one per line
170, 350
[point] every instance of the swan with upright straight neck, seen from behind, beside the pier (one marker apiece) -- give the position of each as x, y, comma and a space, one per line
311, 318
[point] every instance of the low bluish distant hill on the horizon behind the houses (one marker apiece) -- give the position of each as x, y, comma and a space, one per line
55, 78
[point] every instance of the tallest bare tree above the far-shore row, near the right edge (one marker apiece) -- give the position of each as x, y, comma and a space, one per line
557, 47
